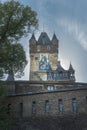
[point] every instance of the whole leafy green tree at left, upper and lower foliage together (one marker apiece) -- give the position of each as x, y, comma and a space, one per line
16, 20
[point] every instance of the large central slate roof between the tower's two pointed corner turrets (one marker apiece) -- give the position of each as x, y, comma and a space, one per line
44, 39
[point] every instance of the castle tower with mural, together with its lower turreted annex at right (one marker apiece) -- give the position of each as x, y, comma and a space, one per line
44, 64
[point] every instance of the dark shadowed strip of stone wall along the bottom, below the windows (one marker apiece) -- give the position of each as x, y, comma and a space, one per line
78, 122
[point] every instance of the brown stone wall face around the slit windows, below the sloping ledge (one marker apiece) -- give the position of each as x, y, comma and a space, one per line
53, 98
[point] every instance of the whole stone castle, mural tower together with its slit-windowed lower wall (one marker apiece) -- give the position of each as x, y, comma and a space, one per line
51, 90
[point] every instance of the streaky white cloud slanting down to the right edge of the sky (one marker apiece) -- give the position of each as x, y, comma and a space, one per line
75, 29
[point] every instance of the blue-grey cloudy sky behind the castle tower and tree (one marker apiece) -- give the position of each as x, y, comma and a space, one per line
68, 19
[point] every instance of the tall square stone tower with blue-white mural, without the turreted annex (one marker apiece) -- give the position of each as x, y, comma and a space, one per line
43, 56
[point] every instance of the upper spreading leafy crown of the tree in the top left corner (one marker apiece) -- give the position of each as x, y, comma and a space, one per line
16, 20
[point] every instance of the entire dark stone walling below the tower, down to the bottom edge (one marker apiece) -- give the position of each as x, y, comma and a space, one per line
26, 104
